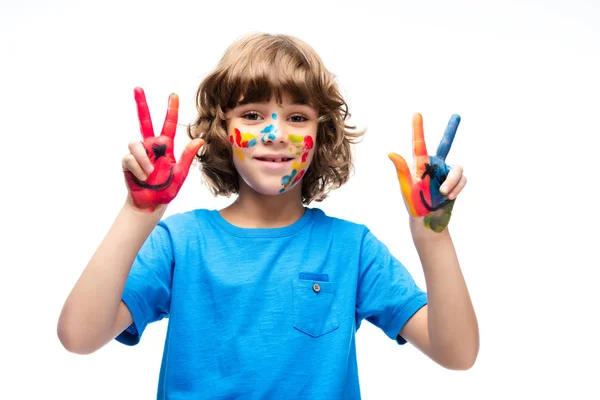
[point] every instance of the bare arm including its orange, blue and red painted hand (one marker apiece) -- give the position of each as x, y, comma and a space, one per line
446, 329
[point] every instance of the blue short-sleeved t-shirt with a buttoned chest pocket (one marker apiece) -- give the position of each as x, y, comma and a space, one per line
265, 313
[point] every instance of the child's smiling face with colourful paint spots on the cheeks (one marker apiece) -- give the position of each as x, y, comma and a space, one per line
273, 143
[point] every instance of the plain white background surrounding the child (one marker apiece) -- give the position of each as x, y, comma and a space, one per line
525, 77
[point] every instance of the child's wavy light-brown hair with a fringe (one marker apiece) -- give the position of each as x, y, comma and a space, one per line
256, 68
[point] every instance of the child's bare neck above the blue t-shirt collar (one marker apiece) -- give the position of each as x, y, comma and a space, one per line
255, 210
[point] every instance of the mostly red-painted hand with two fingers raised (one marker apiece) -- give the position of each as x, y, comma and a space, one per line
153, 176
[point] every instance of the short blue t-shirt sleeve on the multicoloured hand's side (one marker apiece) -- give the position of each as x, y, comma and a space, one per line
387, 295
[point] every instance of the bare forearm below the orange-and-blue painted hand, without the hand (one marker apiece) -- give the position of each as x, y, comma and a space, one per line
452, 324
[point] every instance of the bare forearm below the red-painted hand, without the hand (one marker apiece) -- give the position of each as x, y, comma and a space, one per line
89, 313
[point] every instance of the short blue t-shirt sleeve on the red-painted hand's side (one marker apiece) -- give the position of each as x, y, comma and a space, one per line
147, 292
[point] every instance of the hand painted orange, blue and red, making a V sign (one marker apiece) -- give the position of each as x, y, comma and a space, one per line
433, 189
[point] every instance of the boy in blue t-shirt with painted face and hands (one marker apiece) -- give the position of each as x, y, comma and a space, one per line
264, 297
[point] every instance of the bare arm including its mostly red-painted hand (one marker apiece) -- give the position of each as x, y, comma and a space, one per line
93, 313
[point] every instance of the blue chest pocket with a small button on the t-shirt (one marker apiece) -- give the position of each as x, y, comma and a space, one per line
315, 310
